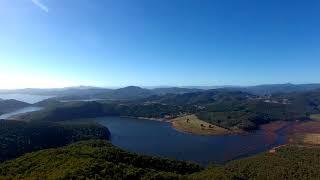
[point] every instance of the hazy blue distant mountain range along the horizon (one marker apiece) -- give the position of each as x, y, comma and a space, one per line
134, 92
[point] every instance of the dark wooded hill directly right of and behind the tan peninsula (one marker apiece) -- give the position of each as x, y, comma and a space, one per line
248, 115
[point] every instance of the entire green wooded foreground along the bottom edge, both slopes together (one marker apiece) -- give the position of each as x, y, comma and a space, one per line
101, 160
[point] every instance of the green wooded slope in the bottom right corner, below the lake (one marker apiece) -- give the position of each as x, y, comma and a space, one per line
289, 162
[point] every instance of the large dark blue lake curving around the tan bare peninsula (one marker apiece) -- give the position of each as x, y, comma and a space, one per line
159, 138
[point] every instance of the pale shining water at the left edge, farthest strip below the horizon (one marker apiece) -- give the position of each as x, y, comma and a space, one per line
25, 97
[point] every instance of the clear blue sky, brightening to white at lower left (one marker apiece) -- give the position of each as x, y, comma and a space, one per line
54, 43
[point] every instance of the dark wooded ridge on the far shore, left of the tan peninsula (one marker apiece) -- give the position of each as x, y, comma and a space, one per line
79, 110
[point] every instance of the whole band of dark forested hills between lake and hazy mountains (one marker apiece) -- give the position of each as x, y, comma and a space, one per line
225, 108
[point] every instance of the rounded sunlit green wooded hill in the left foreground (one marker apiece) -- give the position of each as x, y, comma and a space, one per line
93, 159
